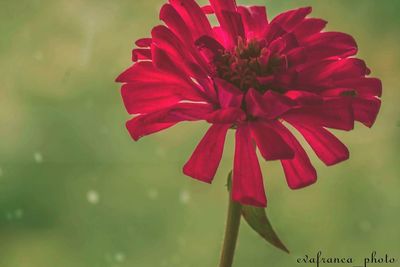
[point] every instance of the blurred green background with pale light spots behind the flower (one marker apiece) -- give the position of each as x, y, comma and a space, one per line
75, 191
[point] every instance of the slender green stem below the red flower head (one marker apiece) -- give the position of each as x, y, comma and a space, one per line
231, 233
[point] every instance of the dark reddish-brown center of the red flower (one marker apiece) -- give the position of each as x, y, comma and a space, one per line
250, 65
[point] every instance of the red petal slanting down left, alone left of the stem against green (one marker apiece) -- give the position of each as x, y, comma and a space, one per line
204, 161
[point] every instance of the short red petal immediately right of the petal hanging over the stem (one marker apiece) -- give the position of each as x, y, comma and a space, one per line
270, 143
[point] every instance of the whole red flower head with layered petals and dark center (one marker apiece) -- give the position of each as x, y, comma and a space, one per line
255, 76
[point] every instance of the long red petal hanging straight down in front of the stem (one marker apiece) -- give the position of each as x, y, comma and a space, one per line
247, 183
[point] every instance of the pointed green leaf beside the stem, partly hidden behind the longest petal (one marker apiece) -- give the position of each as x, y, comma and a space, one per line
257, 219
